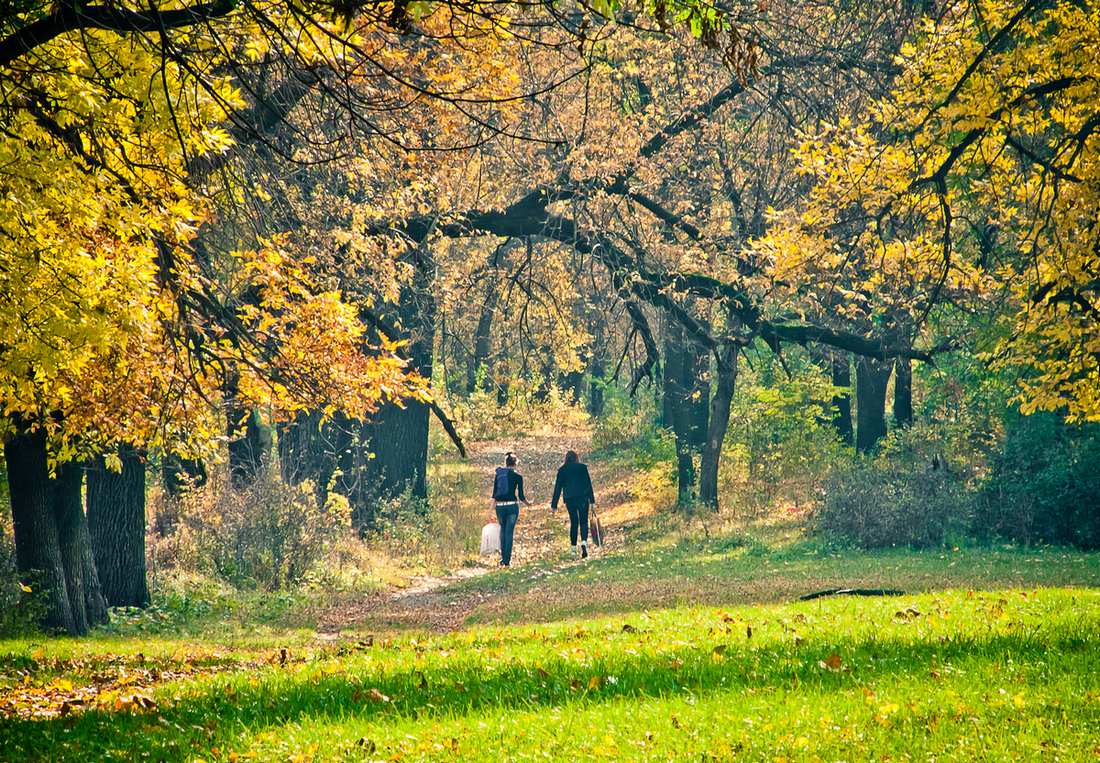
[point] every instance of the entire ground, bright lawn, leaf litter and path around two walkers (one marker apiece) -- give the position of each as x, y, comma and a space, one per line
670, 644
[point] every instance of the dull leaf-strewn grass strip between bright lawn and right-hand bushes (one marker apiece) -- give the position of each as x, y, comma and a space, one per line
739, 570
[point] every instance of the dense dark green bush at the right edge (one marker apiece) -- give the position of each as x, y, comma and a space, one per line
1043, 485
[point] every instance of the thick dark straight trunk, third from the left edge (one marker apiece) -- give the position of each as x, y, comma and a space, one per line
117, 526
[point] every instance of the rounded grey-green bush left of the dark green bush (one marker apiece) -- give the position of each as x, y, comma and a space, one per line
908, 496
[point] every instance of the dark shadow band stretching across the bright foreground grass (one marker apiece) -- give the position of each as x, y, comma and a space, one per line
227, 713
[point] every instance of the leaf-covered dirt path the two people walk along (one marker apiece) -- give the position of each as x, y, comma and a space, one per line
441, 603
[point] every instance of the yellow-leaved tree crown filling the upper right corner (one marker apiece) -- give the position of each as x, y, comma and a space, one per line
976, 187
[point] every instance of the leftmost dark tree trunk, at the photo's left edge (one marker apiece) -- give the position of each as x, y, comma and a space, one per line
38, 547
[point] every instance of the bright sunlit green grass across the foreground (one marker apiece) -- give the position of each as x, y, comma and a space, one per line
952, 676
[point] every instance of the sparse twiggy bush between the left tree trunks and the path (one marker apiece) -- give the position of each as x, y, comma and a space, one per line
270, 535
